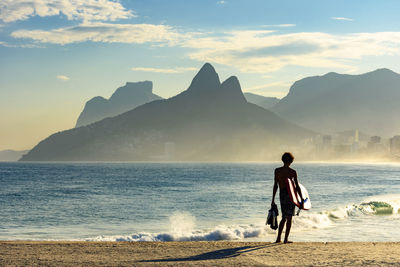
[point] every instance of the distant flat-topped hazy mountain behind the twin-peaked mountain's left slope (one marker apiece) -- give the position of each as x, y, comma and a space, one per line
124, 98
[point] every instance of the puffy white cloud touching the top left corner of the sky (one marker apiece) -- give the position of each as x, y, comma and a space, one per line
86, 10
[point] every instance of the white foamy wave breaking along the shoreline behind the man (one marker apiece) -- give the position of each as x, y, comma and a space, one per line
182, 224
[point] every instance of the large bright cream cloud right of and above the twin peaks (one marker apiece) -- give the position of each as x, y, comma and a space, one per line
267, 51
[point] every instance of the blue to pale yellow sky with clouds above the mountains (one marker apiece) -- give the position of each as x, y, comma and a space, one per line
57, 54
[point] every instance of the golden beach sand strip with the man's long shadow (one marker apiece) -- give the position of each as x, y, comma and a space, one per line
25, 253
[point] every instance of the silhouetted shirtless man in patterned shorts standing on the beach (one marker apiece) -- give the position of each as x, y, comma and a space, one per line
287, 207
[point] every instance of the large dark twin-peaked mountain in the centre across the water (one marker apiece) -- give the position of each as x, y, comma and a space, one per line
209, 121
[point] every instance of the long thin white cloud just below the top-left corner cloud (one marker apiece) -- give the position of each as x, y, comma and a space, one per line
104, 32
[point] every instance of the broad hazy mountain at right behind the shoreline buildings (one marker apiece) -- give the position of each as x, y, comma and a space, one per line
338, 102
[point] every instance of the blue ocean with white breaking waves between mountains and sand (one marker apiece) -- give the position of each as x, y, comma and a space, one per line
193, 201
